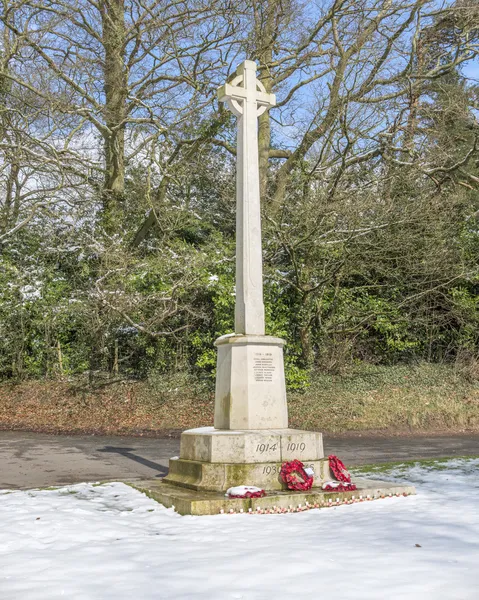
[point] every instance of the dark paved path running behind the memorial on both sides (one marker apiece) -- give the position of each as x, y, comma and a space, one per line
29, 460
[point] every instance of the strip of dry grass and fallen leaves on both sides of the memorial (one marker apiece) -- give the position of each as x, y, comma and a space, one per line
425, 398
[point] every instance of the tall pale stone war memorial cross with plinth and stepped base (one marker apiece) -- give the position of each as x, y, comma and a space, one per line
250, 439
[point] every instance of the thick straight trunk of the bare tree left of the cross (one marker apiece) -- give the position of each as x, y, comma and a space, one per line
116, 92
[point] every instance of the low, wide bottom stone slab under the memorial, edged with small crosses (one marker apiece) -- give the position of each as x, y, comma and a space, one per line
188, 502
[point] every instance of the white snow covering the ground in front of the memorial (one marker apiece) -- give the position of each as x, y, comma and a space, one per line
111, 542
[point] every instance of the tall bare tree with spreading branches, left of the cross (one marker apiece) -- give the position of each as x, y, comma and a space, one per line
128, 70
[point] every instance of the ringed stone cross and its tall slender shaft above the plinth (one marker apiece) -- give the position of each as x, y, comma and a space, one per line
247, 99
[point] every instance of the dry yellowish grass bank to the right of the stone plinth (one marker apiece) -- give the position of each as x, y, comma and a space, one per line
426, 397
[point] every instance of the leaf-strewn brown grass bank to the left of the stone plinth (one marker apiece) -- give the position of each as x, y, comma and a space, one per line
119, 408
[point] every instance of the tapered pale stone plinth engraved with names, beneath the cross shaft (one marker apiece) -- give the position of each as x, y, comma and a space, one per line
250, 385
